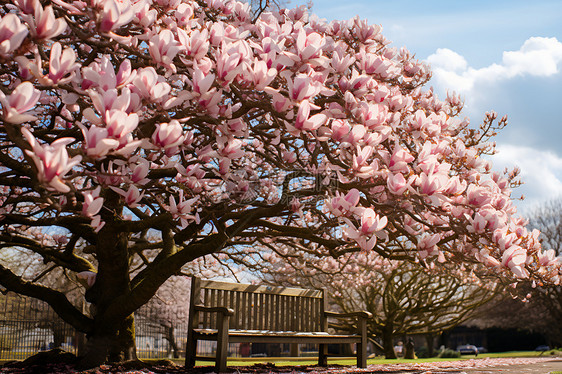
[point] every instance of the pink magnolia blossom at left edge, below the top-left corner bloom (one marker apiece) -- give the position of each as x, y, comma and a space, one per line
23, 98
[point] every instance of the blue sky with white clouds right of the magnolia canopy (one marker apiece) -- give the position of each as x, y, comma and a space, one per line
501, 55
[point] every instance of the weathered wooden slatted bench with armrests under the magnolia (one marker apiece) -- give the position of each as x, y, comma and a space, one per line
243, 313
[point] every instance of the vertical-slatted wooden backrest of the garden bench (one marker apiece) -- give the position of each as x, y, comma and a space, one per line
259, 307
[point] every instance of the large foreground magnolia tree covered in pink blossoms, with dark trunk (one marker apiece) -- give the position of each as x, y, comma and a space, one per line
182, 128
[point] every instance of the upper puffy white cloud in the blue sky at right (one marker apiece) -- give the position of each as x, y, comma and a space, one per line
537, 56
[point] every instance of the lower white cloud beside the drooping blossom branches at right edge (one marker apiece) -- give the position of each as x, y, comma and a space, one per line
541, 172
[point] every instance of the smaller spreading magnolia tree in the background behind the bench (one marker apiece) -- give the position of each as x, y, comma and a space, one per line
404, 298
